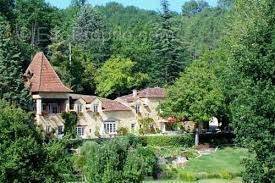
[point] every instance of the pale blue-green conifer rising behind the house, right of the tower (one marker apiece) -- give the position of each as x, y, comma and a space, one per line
91, 33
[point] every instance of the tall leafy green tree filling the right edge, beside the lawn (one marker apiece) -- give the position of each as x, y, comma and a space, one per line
250, 84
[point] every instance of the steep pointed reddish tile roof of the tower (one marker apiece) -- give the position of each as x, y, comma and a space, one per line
42, 76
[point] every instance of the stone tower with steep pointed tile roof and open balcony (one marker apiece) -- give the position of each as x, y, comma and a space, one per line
50, 95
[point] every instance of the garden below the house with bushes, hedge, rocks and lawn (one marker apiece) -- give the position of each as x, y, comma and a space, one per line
158, 158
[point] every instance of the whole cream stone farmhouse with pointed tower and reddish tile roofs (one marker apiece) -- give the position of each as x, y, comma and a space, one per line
96, 116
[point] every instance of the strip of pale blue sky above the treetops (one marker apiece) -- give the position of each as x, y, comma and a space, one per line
144, 4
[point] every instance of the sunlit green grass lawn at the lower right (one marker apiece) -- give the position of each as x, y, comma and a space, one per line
222, 166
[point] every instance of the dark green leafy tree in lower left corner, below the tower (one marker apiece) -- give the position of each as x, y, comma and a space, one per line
24, 155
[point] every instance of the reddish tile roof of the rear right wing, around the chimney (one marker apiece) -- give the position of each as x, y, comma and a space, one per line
146, 93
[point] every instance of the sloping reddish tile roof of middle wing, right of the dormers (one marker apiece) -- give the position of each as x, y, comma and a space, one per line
111, 105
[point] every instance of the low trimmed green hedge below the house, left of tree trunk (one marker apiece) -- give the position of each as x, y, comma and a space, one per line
185, 140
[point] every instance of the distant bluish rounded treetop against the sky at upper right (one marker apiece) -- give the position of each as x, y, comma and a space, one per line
193, 7
